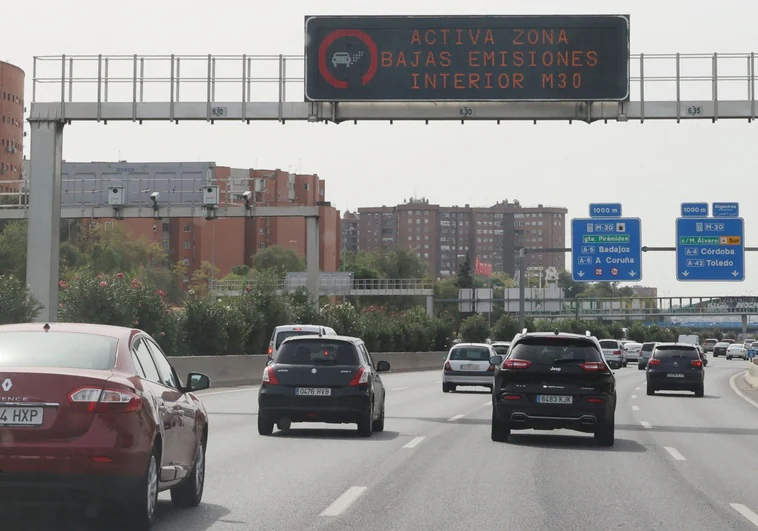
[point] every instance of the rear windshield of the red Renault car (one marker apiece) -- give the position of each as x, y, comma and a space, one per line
70, 350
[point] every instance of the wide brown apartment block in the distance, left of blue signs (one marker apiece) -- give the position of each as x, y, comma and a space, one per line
443, 236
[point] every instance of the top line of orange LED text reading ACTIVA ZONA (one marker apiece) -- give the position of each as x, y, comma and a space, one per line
516, 36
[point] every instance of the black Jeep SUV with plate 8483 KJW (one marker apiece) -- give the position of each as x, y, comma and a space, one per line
554, 381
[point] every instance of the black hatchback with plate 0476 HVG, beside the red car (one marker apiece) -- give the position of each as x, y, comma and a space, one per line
329, 379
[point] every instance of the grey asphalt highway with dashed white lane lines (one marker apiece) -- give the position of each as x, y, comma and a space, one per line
679, 463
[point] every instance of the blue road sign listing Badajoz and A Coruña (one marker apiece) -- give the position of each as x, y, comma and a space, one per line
606, 250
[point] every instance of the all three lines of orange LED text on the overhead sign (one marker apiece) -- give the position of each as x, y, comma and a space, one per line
518, 56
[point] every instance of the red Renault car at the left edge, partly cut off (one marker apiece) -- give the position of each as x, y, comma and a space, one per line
96, 414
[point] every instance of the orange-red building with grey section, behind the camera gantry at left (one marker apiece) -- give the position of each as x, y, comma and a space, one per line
225, 243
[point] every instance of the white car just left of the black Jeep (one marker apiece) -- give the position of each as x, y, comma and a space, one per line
468, 364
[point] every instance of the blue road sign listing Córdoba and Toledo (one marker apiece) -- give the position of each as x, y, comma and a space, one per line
710, 249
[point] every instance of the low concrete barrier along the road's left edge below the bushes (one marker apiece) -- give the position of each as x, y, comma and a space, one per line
230, 371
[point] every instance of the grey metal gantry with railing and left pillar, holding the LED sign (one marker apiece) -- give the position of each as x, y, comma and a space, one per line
249, 88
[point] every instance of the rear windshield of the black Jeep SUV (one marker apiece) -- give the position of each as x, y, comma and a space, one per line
552, 350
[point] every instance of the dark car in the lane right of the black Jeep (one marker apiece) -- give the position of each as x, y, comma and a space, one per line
675, 367
